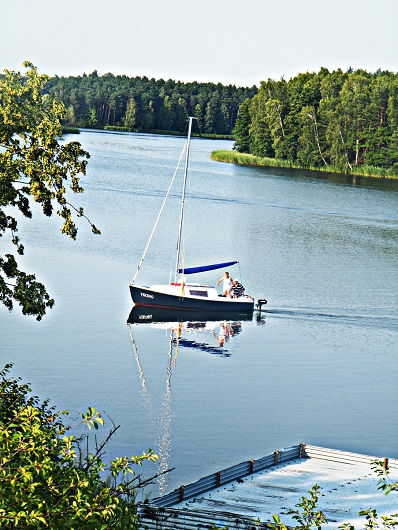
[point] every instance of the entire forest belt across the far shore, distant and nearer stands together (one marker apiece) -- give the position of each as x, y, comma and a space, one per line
336, 119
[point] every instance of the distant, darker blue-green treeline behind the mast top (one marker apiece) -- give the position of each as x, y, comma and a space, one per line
139, 103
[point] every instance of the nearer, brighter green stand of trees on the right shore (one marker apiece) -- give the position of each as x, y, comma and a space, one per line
342, 119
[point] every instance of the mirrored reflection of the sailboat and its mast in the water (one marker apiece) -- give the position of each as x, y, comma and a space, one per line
203, 331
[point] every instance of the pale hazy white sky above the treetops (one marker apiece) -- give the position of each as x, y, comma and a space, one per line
230, 41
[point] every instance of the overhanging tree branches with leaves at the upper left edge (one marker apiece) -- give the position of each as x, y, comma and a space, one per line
34, 167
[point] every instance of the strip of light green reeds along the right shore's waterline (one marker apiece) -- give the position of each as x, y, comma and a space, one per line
234, 157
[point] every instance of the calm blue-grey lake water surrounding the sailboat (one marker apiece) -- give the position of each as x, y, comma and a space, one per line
319, 366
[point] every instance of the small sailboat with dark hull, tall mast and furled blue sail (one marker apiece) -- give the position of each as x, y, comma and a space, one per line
181, 294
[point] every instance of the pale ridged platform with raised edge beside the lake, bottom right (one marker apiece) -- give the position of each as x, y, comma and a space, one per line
246, 496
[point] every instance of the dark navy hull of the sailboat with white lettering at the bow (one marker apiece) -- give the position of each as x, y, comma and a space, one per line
146, 297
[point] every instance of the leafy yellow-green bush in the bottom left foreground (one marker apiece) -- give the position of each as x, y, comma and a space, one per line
46, 480
